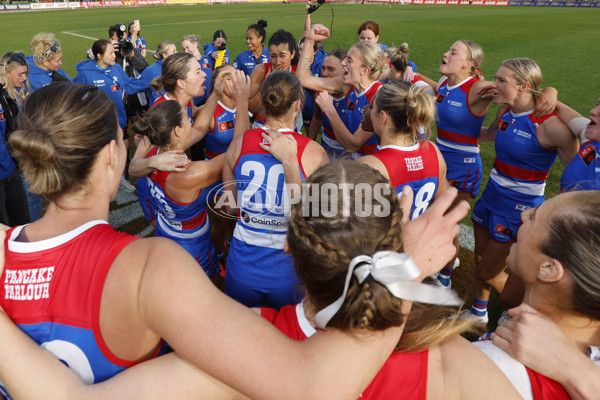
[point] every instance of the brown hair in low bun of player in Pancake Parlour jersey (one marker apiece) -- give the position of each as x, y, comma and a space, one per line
62, 128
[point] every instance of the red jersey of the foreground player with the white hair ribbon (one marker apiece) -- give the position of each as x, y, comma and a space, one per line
411, 366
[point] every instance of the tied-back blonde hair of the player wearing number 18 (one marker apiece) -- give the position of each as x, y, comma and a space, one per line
409, 107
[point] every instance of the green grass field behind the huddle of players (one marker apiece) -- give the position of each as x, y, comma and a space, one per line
564, 41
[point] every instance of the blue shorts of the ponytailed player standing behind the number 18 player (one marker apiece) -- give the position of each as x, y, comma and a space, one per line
464, 171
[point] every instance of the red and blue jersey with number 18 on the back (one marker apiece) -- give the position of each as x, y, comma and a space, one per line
416, 166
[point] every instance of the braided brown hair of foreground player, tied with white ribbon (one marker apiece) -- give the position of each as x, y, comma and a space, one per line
323, 247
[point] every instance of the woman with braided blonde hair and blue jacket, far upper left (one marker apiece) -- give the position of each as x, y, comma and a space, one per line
44, 65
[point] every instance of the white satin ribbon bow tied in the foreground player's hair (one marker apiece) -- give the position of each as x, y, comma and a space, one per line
395, 271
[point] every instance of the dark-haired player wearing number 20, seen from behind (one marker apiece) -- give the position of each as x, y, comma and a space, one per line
258, 270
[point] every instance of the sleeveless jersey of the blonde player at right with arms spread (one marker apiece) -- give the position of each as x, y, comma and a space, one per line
521, 165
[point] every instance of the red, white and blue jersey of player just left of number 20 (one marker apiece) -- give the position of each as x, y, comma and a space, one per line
185, 223
